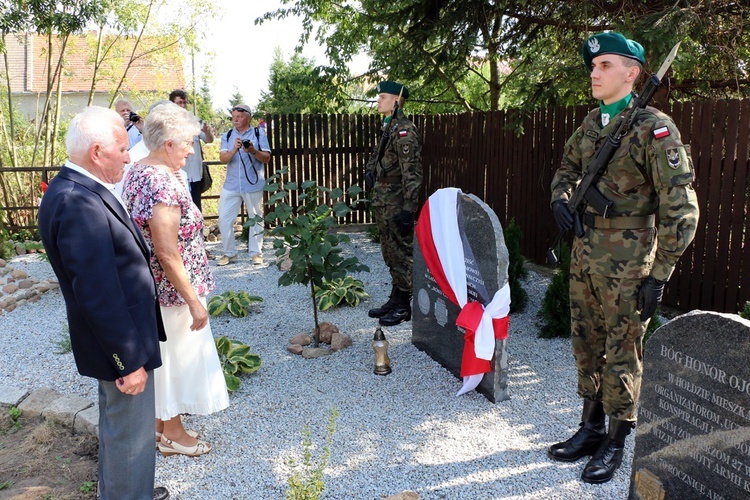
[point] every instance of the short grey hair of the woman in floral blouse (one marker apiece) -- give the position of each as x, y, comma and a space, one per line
167, 122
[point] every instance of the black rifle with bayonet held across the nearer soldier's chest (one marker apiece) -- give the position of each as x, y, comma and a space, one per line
586, 193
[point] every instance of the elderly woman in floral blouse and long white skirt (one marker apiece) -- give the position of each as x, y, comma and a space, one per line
191, 379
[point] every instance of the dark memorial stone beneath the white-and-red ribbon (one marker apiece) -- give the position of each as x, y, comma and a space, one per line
434, 329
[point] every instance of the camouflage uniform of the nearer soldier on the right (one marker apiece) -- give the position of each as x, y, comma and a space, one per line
650, 174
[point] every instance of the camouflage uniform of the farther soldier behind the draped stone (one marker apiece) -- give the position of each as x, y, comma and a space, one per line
399, 179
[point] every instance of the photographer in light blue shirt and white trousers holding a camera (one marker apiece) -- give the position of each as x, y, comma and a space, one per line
245, 151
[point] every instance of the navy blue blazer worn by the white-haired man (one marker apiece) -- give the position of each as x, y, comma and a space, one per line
102, 263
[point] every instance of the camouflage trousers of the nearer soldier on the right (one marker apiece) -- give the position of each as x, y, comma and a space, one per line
607, 338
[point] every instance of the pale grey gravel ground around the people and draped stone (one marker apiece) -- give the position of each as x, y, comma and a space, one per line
406, 431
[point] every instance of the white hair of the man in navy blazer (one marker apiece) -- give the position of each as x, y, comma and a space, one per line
93, 125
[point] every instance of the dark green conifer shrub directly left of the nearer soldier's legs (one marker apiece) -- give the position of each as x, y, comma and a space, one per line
555, 310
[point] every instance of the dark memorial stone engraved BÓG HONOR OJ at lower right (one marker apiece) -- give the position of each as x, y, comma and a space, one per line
693, 433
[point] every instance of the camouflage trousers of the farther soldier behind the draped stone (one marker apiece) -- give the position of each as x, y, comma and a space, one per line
397, 250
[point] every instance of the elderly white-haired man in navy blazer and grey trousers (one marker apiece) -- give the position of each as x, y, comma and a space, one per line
102, 263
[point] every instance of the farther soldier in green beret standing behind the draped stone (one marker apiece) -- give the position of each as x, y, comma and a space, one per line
395, 173
